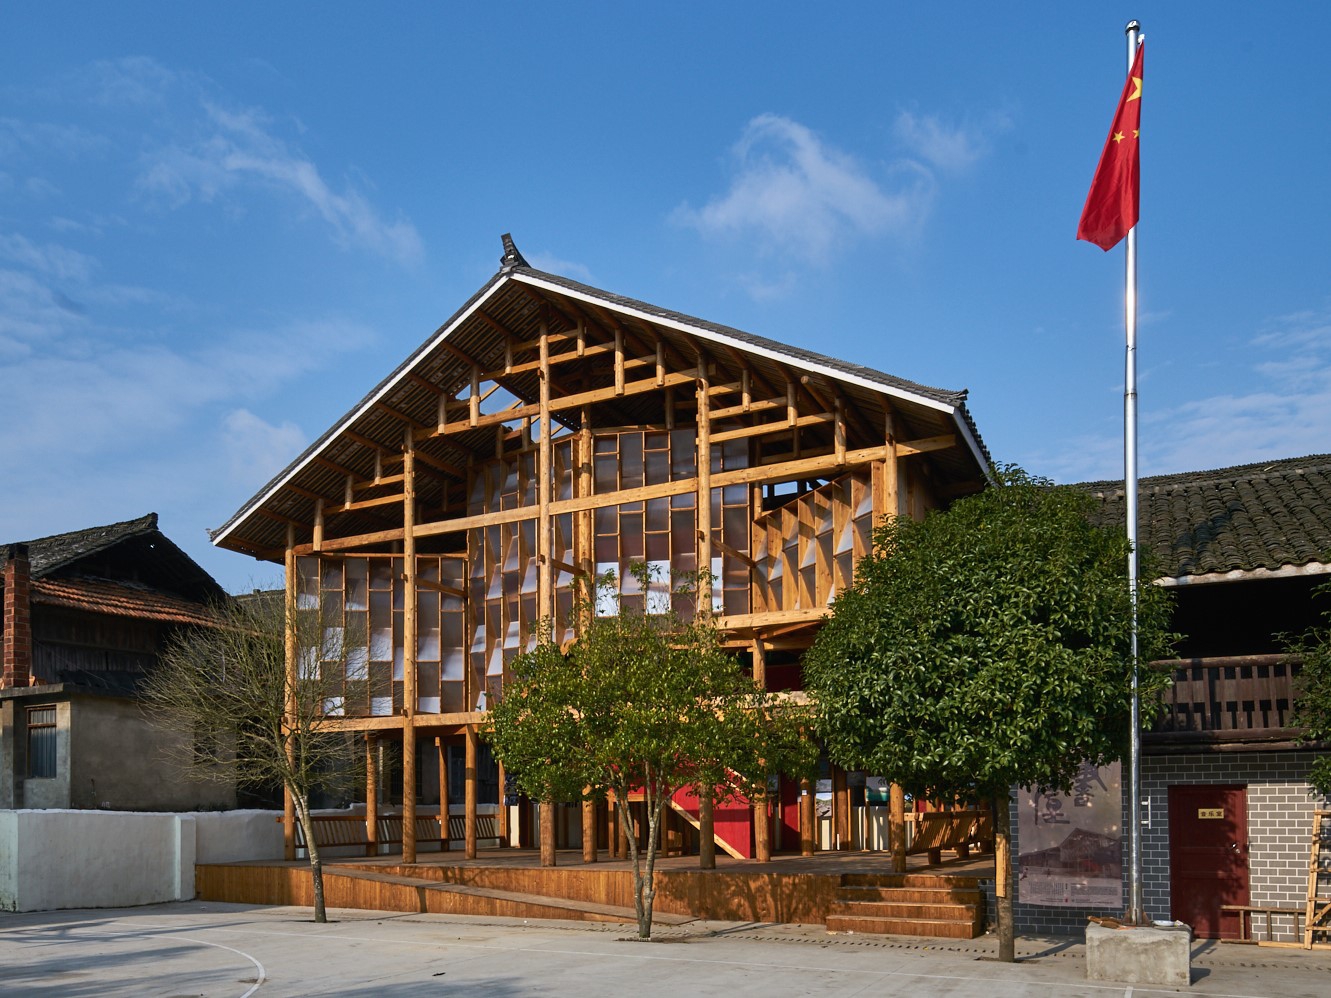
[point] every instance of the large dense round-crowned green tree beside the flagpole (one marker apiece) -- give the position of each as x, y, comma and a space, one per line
987, 647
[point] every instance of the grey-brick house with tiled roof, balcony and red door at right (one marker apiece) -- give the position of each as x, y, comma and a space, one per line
1229, 808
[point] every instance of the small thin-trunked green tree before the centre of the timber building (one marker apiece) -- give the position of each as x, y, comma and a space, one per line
641, 703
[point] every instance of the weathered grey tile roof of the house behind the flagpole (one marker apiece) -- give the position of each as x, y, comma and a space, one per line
1272, 516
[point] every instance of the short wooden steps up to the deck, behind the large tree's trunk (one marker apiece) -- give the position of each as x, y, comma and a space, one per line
910, 904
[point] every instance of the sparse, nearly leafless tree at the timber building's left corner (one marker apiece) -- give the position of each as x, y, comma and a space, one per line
224, 689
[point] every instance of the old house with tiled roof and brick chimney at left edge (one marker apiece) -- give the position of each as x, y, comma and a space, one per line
86, 615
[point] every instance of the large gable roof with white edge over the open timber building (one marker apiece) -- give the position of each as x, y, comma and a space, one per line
512, 308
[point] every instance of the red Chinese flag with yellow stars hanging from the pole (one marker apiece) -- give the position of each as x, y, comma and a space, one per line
1112, 206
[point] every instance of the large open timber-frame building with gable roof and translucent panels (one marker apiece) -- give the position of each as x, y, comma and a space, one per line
550, 429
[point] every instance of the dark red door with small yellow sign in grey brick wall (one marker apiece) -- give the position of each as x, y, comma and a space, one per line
1209, 858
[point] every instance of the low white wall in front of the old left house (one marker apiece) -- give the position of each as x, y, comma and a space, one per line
107, 859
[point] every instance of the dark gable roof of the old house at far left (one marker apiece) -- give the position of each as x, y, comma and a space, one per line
164, 565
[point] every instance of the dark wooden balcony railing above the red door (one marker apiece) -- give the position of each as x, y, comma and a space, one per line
1228, 699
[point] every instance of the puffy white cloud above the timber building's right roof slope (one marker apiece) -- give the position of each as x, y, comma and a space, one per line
798, 198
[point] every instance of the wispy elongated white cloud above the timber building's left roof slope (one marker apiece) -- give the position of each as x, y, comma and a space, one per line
239, 150
